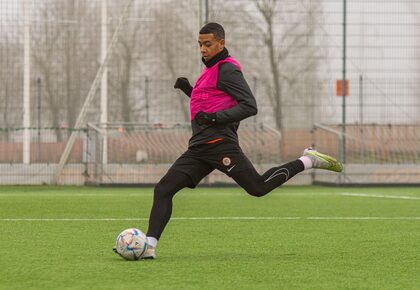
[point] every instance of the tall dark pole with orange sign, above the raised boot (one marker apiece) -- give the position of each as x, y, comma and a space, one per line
343, 86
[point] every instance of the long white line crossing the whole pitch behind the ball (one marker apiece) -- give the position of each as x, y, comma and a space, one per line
203, 218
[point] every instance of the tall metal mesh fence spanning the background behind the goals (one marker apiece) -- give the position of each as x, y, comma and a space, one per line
54, 54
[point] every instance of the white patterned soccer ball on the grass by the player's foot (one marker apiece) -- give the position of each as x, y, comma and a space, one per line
131, 244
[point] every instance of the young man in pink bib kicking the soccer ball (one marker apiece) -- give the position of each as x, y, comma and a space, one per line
220, 99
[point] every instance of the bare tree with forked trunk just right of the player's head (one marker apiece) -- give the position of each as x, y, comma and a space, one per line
276, 39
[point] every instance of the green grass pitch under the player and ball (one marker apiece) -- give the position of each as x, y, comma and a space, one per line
220, 238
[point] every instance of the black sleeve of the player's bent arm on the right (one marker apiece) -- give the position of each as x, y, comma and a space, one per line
232, 81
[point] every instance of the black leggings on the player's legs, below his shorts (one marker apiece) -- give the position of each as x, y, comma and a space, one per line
250, 180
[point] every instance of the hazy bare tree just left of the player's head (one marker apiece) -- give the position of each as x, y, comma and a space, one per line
151, 52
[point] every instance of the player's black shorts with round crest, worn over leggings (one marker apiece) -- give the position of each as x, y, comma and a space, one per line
198, 161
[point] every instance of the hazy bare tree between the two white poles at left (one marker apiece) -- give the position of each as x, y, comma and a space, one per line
63, 56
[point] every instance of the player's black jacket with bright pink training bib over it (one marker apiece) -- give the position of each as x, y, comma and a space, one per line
221, 89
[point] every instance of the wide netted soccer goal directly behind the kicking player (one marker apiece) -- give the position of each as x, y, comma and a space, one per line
142, 153
